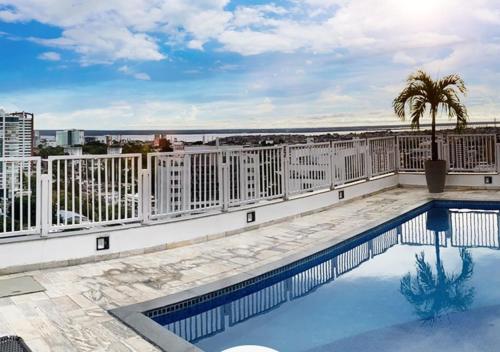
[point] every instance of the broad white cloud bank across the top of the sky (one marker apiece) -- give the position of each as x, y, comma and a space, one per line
107, 31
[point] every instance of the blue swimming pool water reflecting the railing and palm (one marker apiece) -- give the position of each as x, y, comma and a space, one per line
429, 280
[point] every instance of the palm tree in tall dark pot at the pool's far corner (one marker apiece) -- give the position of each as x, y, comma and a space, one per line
423, 94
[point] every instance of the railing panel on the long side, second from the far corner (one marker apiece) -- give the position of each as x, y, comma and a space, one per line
349, 161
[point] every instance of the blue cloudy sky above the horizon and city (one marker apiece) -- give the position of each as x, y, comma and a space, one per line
179, 64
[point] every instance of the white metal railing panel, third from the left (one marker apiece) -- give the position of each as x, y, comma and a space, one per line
186, 182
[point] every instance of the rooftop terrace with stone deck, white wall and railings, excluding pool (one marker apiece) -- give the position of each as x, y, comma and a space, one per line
102, 232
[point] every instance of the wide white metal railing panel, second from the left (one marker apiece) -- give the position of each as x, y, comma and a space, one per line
93, 190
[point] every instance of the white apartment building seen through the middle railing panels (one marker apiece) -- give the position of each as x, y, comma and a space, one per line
188, 182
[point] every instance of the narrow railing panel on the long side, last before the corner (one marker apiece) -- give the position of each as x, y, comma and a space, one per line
382, 155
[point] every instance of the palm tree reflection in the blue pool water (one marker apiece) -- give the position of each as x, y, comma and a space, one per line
436, 294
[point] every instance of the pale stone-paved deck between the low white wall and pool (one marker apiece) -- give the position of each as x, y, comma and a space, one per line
71, 315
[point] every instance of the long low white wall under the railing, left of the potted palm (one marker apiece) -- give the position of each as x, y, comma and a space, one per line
74, 248
